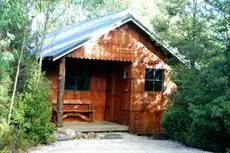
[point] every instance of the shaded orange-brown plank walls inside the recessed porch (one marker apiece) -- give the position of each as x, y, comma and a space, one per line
99, 88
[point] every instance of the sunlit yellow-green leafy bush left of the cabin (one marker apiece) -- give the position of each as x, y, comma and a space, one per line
31, 113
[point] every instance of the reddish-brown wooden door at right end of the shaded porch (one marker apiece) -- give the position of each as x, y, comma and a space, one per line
117, 101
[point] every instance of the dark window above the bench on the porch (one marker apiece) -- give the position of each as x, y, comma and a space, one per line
77, 78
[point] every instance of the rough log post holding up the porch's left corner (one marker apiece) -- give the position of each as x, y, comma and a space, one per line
61, 86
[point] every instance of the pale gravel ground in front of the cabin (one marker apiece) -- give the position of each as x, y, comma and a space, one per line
128, 144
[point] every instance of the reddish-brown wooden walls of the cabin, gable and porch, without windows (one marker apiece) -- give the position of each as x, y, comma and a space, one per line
114, 98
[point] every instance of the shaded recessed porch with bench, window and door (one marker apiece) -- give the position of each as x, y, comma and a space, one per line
93, 91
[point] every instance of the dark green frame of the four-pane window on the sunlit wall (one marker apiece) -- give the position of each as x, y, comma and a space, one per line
154, 80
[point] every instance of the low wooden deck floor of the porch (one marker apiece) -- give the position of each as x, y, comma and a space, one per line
100, 126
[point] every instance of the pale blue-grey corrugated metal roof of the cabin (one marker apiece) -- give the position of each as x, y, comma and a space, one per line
64, 40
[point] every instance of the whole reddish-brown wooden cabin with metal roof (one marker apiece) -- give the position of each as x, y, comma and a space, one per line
112, 68
